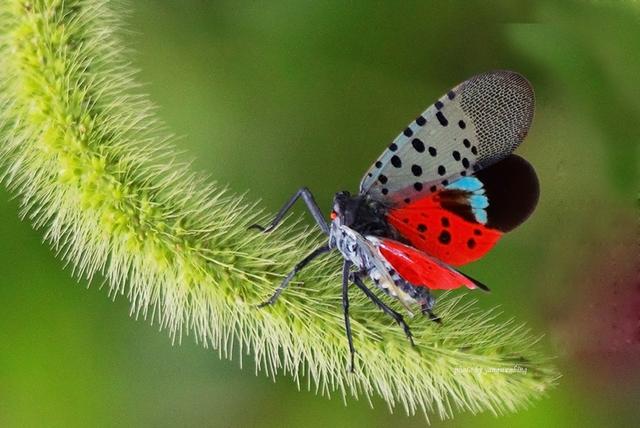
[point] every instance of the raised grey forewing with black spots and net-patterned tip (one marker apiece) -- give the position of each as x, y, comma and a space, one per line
476, 124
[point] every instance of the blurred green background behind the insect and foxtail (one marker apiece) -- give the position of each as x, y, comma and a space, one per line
270, 96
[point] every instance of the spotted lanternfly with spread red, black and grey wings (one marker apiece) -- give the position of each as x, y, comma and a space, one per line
441, 195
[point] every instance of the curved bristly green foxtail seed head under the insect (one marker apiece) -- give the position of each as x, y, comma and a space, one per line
95, 170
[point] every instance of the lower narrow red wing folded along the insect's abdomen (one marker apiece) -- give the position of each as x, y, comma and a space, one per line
420, 269
